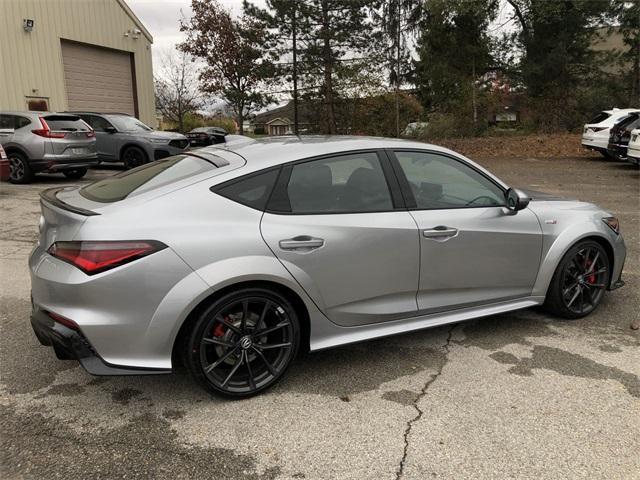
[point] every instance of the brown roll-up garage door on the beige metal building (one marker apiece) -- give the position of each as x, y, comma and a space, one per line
98, 79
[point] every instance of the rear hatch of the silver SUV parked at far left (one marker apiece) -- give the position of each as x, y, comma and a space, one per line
67, 135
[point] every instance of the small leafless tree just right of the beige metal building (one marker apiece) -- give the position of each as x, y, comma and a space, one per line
177, 87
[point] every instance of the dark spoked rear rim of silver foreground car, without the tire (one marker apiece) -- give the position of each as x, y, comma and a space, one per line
246, 345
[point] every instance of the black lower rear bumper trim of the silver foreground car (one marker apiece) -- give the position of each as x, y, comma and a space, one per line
70, 344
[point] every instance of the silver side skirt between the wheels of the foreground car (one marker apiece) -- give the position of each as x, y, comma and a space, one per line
326, 334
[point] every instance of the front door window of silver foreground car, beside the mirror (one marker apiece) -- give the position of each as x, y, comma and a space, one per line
438, 181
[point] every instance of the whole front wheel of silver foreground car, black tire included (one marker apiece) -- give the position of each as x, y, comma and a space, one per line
574, 292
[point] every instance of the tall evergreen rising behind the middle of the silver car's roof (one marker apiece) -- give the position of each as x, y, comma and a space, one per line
335, 43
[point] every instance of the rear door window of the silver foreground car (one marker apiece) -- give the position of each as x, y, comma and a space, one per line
346, 183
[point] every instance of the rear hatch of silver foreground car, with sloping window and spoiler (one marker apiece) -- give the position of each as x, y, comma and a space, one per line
65, 209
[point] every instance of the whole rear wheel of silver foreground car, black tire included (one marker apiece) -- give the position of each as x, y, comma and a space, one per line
223, 353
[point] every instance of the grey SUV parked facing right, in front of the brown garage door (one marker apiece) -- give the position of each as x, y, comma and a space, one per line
123, 138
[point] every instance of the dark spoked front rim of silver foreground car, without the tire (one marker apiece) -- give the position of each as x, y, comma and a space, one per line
584, 280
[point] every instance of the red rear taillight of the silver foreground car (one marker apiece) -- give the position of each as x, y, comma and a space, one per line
94, 257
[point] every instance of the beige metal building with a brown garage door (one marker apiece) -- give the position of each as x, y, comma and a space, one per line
62, 55
